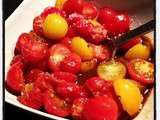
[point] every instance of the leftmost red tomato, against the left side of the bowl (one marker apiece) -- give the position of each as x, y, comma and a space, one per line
15, 78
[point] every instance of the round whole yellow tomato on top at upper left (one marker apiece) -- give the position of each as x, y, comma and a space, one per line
55, 26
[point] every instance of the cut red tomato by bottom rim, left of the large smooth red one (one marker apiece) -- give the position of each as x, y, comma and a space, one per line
54, 105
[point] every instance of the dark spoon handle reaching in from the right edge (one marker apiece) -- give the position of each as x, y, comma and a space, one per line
147, 27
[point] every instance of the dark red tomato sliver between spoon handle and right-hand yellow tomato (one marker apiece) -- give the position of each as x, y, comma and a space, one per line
131, 43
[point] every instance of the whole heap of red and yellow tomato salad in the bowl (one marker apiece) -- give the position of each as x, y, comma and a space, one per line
66, 65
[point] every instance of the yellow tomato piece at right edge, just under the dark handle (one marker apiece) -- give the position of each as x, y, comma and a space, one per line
138, 51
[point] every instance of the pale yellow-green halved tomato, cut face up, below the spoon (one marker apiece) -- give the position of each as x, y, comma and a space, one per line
111, 70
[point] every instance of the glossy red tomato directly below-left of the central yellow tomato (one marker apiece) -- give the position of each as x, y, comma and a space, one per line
71, 63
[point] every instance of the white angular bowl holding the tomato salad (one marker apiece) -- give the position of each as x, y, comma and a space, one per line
21, 21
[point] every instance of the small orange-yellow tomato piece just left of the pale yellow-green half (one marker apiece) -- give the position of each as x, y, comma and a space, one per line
88, 65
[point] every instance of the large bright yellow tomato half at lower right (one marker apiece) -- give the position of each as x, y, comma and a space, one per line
129, 95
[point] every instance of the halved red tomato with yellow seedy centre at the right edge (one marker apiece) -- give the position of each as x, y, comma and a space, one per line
141, 71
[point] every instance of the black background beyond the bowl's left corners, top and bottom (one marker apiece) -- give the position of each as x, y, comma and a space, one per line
11, 112
